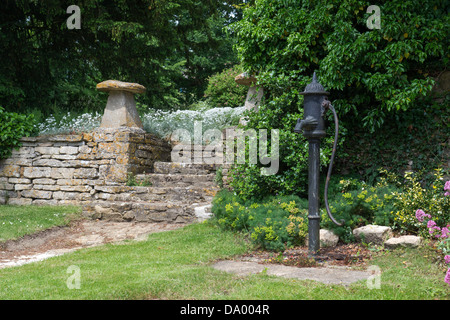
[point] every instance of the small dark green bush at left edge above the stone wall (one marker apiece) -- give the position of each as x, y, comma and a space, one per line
13, 126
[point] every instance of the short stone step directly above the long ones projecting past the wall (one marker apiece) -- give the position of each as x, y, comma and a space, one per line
177, 180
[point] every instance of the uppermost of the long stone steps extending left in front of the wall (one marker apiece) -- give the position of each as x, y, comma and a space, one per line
125, 193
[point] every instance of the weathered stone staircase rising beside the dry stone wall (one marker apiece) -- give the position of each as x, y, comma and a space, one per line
176, 193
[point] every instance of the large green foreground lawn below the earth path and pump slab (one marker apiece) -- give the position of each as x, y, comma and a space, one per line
176, 265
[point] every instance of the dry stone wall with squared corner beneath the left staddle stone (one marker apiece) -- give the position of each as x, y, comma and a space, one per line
74, 169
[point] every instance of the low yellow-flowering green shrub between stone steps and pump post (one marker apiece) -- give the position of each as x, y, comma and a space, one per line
273, 224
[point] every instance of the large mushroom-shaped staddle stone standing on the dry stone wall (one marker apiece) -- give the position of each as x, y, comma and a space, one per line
120, 109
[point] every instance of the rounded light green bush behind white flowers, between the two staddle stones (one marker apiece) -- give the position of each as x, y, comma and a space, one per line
223, 91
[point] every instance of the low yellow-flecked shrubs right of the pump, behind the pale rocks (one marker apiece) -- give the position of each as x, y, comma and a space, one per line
392, 201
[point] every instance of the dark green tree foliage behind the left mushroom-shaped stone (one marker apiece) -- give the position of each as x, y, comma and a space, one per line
170, 47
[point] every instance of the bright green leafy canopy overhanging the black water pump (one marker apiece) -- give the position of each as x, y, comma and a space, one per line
369, 72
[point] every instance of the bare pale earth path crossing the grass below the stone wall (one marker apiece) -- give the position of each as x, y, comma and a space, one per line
80, 234
